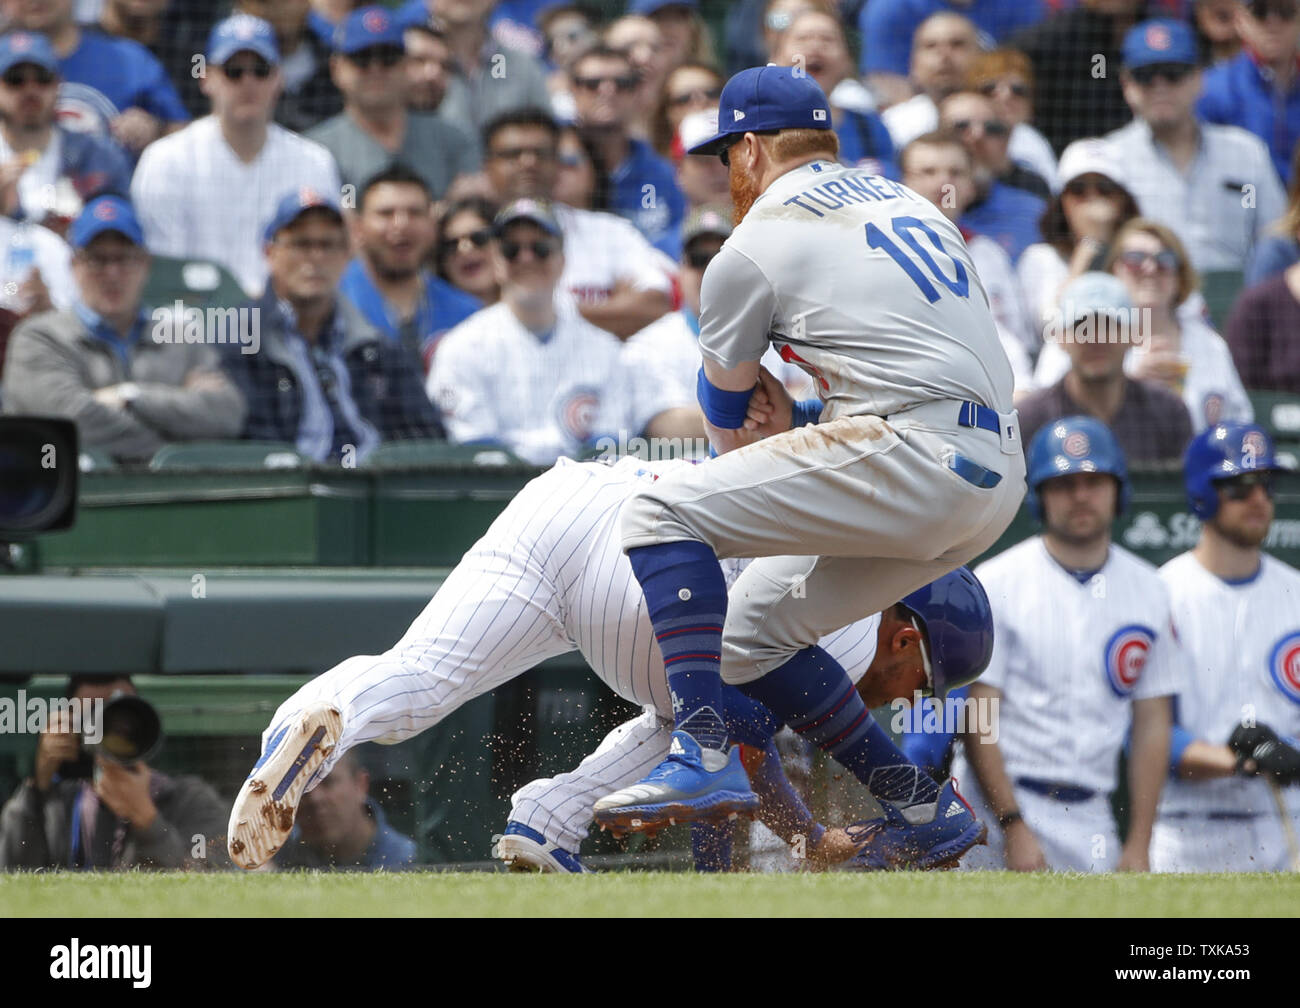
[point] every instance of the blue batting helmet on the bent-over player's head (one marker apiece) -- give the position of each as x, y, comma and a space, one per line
959, 625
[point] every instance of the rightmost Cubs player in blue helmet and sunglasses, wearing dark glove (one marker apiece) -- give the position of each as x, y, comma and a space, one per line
1237, 612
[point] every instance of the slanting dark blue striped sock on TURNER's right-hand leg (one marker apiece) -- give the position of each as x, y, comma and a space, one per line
816, 698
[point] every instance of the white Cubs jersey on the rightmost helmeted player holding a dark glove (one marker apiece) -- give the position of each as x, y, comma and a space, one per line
1243, 663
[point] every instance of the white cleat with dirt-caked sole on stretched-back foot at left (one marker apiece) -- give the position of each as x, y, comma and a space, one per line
263, 815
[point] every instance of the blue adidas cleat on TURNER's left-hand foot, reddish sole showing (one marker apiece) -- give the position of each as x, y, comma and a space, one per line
694, 784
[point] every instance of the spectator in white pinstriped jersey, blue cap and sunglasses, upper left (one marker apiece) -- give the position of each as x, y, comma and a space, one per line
207, 192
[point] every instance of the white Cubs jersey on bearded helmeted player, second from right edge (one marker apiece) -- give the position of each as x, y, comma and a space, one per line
1069, 660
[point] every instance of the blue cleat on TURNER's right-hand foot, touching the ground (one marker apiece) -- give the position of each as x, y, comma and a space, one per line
918, 838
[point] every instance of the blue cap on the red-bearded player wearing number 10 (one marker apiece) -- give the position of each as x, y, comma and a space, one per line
768, 98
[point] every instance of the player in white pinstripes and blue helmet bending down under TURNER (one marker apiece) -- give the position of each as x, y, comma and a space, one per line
549, 577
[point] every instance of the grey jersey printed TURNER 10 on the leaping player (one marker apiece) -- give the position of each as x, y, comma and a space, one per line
865, 285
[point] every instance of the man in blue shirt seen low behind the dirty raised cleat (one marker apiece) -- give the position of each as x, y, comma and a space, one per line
341, 827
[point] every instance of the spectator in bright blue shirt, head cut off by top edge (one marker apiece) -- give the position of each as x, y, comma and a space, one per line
887, 28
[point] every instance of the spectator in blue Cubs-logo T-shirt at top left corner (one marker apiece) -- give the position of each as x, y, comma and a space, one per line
112, 88
